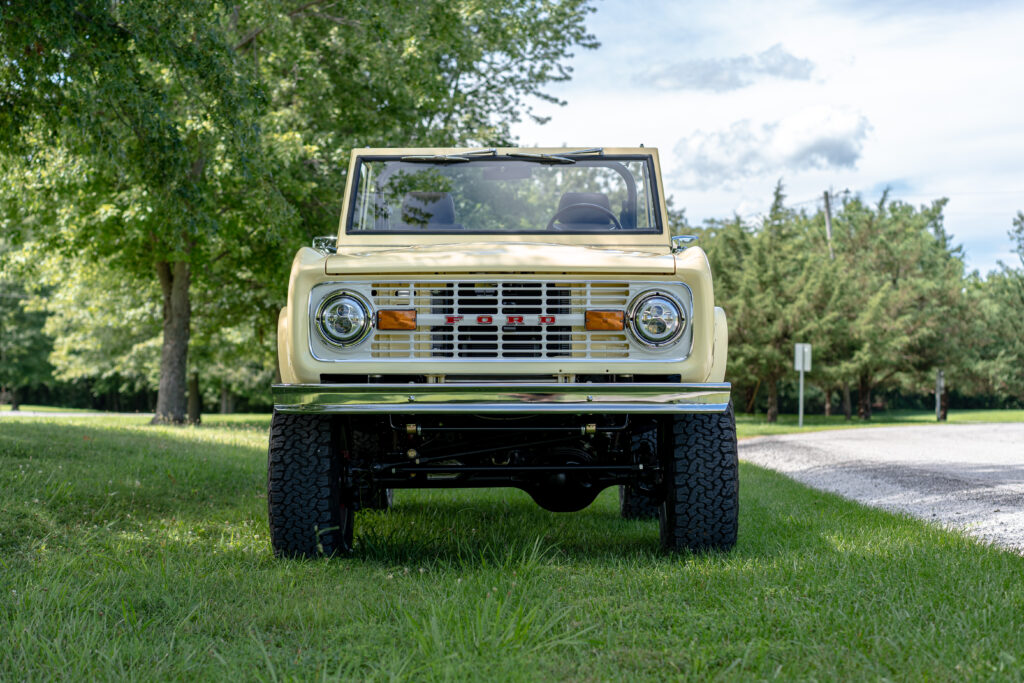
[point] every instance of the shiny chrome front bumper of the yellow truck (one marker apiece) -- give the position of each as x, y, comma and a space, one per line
508, 398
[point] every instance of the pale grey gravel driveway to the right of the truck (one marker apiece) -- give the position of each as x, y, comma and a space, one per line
969, 478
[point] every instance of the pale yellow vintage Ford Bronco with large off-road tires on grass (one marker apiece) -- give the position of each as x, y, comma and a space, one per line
502, 318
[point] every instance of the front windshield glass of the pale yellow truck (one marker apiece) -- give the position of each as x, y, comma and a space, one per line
504, 195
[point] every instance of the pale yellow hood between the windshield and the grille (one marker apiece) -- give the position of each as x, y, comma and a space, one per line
499, 258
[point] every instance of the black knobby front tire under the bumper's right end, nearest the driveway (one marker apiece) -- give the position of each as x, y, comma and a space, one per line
702, 505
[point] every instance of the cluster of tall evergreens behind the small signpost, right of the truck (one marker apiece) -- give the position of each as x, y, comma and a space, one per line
888, 312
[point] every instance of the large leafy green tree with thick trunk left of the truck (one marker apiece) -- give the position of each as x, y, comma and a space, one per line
185, 141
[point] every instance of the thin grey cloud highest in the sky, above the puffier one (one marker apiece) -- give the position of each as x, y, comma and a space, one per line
730, 73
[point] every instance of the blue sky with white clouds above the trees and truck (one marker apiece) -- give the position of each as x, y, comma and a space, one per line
924, 98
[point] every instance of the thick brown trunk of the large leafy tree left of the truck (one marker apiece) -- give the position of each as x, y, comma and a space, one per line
175, 281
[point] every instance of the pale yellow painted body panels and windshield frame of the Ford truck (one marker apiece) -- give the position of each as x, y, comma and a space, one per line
618, 255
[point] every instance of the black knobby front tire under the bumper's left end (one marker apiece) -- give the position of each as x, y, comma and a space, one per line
310, 514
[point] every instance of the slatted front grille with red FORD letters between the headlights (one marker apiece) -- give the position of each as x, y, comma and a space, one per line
500, 320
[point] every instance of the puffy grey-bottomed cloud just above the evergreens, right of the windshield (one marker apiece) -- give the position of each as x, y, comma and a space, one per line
814, 139
